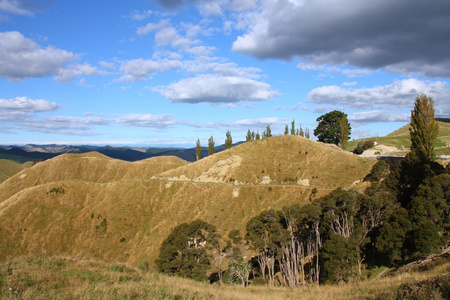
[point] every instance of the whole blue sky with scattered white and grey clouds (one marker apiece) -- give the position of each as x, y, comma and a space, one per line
166, 73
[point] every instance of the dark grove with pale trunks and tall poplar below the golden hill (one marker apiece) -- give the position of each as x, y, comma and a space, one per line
403, 215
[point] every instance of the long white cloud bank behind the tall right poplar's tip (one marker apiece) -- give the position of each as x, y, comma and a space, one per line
398, 95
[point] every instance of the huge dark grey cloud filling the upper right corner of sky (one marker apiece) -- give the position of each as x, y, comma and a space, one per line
407, 36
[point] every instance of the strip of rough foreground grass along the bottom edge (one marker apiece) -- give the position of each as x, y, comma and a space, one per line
42, 277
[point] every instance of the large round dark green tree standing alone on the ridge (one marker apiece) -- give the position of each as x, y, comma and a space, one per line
329, 128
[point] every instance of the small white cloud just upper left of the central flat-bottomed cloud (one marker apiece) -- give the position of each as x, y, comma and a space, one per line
139, 69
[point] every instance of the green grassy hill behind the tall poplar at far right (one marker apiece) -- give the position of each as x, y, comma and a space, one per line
400, 138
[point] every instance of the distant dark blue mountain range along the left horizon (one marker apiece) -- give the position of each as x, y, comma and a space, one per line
32, 152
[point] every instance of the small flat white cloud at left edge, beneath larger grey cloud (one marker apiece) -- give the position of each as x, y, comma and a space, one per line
26, 104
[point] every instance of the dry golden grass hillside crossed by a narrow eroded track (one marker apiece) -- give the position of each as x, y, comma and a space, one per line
93, 206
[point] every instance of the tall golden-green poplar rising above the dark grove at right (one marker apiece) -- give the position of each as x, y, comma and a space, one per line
424, 128
